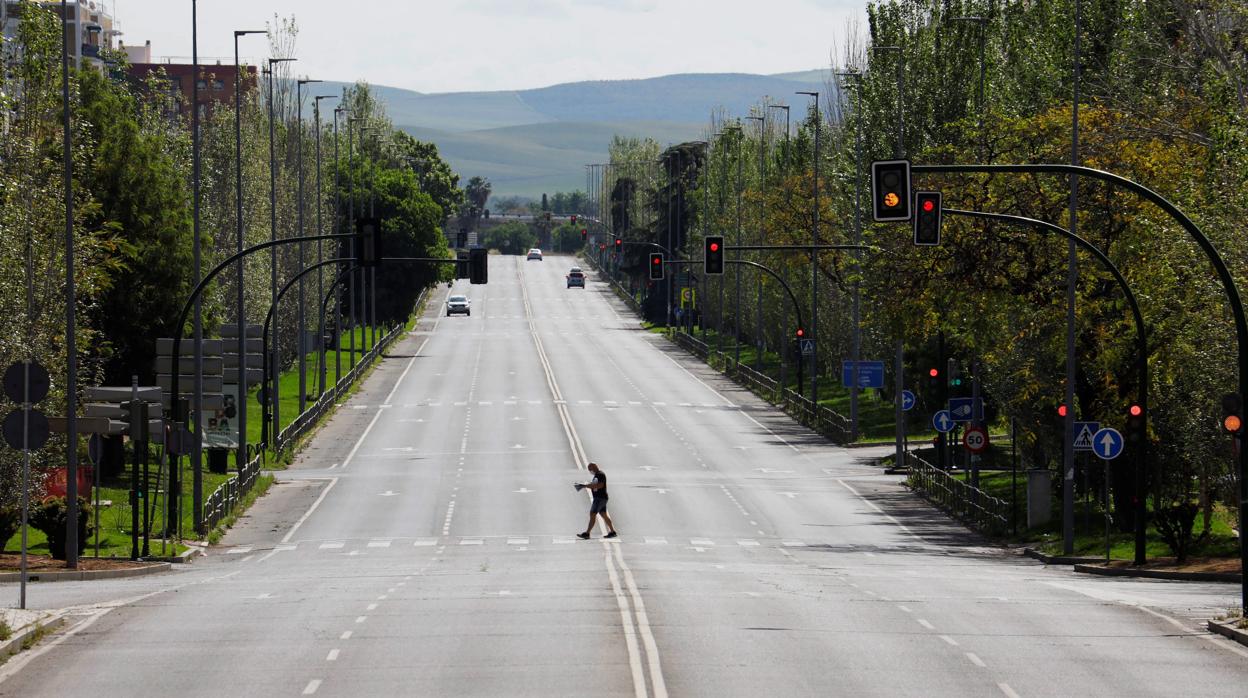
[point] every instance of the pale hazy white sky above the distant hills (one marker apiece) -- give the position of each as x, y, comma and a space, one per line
462, 46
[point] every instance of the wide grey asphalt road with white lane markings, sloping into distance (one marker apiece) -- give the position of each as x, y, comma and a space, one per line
424, 546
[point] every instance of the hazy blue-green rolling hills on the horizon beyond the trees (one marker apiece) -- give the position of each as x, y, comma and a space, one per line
534, 142
